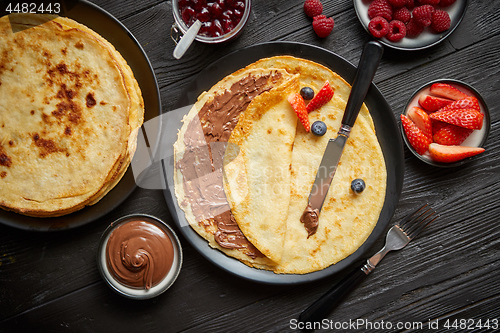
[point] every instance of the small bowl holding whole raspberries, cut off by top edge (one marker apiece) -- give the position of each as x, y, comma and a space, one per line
425, 39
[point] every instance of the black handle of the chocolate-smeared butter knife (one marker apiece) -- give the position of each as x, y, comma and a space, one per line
370, 58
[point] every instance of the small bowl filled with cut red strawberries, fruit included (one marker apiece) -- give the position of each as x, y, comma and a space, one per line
463, 120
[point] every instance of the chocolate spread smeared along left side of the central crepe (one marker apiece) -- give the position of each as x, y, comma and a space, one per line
201, 165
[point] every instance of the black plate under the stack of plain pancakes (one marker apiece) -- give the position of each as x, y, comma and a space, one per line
117, 34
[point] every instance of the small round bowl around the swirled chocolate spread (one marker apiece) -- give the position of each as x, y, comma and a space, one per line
136, 293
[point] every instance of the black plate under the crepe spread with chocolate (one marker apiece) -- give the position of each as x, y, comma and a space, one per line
387, 132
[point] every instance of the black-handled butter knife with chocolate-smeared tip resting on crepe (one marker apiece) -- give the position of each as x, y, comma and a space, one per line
370, 58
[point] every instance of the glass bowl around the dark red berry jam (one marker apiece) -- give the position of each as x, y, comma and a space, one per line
180, 25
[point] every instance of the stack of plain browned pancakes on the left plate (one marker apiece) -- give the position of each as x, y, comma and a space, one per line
70, 111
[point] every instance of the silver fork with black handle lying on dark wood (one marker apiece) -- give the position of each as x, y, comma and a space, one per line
397, 238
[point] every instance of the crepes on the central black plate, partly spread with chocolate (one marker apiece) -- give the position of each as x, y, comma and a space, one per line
268, 169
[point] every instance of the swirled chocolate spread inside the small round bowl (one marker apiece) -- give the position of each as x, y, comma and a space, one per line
139, 254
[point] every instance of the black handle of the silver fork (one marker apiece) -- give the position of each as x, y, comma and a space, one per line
319, 310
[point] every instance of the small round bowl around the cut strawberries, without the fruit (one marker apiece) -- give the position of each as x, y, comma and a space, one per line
476, 139
